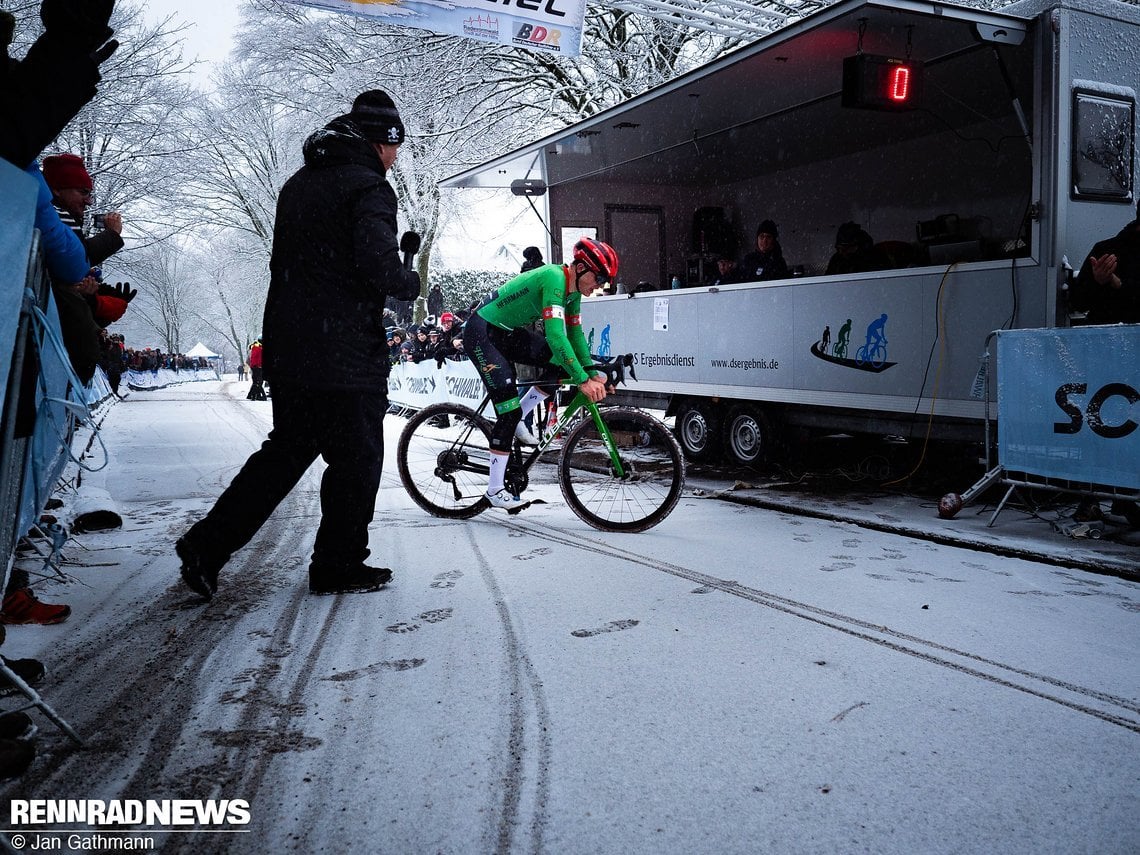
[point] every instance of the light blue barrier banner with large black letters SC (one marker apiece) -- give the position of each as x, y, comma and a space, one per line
1069, 404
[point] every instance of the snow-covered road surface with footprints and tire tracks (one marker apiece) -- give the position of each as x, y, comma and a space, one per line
738, 680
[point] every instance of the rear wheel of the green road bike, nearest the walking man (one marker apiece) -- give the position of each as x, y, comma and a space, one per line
444, 458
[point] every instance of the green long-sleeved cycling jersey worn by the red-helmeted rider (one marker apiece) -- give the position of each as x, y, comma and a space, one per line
544, 294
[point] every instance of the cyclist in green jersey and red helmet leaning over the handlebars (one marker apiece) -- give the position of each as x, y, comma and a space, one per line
496, 337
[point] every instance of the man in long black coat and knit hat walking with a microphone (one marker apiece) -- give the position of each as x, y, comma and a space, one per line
336, 259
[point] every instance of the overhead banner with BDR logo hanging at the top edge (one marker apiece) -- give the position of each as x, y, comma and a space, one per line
553, 27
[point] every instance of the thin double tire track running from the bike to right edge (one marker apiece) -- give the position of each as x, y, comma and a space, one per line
970, 664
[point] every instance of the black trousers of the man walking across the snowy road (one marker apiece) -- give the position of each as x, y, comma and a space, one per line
347, 430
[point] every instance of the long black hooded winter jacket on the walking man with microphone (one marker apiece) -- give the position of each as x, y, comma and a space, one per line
336, 258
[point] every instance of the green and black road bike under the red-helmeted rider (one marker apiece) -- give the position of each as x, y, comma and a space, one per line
620, 468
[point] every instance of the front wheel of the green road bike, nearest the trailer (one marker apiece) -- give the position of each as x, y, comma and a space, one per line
654, 471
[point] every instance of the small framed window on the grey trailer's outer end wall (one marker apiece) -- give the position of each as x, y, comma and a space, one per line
1103, 146
